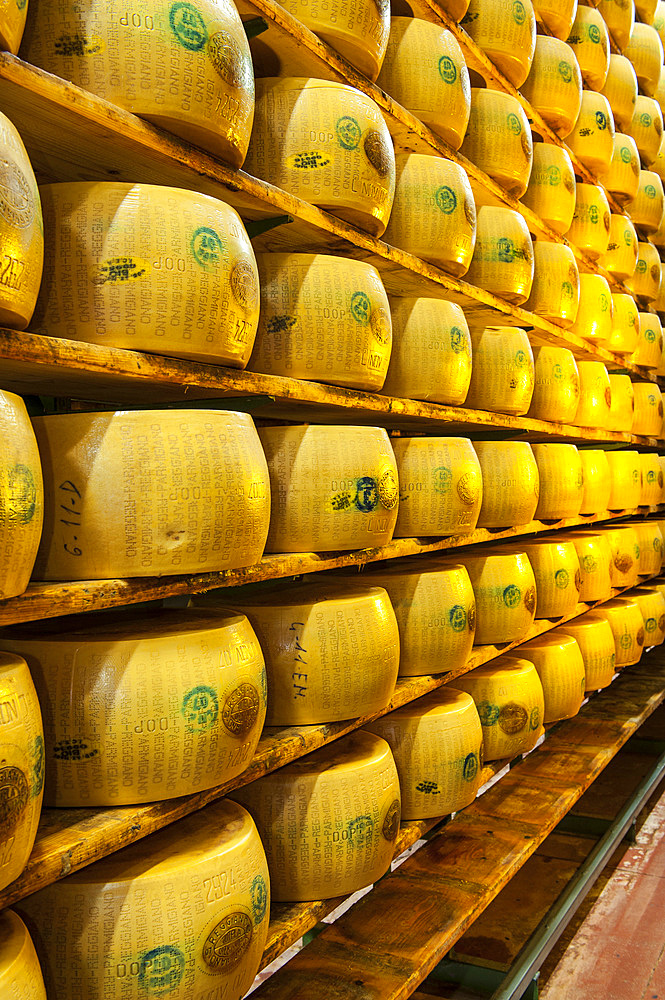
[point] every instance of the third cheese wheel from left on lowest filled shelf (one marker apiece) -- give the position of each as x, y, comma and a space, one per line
329, 821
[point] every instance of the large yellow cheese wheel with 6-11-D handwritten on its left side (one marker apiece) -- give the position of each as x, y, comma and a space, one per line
150, 493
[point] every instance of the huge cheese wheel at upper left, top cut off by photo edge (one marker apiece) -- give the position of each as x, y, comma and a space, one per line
185, 67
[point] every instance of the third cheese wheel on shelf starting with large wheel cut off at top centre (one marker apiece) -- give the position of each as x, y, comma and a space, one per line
498, 139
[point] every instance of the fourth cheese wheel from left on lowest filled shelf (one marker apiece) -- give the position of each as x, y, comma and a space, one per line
437, 745
